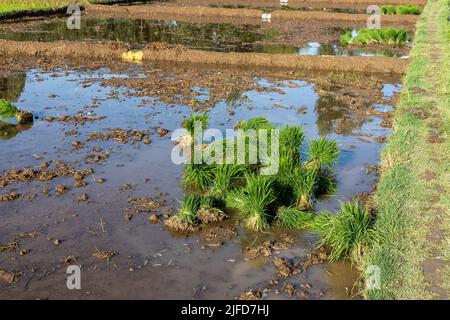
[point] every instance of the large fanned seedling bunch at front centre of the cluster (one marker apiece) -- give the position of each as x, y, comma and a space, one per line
253, 201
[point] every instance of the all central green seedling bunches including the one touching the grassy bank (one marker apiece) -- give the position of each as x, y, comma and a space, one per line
285, 199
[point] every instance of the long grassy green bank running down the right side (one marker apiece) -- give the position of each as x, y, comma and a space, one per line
404, 199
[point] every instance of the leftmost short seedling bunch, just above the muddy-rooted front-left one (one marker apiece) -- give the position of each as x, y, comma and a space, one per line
198, 176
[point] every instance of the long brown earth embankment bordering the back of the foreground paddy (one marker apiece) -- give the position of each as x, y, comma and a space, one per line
161, 53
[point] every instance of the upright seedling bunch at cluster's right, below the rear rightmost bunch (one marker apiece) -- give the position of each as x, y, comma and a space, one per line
303, 182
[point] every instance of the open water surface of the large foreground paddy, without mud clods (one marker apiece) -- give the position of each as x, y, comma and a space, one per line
151, 262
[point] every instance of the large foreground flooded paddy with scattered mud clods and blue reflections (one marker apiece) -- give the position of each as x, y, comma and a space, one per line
91, 180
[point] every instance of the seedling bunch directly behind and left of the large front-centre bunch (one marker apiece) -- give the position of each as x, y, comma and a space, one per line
227, 178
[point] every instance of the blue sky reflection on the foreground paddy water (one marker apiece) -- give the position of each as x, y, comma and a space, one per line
123, 112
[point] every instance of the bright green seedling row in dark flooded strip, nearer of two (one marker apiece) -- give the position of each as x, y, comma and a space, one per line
391, 36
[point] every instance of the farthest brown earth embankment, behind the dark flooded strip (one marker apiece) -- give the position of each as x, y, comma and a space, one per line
236, 15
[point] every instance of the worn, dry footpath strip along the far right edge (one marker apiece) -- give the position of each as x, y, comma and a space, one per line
436, 266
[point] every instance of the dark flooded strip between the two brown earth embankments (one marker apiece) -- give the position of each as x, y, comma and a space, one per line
298, 39
